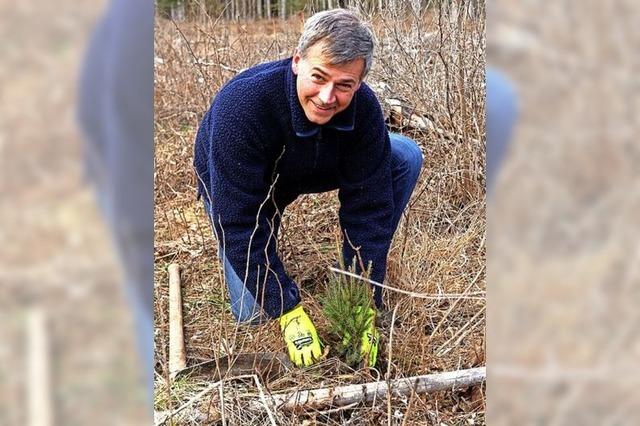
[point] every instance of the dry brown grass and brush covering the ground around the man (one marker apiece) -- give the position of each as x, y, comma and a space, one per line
434, 63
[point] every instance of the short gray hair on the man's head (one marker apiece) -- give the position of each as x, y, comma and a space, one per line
346, 37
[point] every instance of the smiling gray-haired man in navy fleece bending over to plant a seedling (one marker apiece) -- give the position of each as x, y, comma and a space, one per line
306, 124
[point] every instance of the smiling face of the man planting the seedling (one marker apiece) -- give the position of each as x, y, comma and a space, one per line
324, 89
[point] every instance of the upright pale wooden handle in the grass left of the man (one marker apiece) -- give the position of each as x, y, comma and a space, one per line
177, 353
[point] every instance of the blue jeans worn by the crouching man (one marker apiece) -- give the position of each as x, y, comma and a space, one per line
406, 162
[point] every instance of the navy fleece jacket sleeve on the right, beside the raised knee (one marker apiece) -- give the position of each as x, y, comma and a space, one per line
366, 193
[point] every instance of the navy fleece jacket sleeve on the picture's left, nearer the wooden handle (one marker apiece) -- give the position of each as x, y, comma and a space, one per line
245, 218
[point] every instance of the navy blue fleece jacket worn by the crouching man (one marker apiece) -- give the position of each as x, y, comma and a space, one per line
256, 152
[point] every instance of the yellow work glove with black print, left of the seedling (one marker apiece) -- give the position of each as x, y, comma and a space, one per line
301, 337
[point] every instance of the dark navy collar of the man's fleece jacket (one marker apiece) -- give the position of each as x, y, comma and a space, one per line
343, 121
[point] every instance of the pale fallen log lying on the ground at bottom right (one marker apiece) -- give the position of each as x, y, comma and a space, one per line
367, 392
